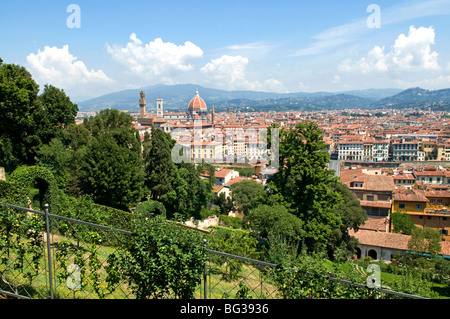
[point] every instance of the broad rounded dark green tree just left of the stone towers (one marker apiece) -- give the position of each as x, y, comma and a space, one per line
110, 164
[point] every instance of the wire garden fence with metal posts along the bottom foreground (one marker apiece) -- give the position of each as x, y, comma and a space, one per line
47, 256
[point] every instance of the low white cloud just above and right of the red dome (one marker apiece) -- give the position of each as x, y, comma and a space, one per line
228, 72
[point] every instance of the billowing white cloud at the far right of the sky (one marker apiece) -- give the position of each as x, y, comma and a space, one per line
410, 52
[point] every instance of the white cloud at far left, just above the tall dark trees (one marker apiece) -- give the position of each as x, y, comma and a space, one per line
58, 67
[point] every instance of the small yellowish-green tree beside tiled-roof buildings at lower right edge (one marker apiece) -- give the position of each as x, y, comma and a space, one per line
425, 240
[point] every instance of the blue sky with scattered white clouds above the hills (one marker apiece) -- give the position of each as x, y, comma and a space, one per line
279, 46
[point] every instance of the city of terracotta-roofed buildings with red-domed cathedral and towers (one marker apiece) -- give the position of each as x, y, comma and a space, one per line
391, 160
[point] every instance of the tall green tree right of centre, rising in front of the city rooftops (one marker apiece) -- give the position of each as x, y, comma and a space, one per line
302, 183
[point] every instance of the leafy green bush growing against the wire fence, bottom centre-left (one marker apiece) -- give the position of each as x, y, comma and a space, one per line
160, 260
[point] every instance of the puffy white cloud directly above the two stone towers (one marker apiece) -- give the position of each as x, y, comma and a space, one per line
157, 59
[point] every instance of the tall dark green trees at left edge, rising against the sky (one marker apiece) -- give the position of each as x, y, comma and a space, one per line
29, 120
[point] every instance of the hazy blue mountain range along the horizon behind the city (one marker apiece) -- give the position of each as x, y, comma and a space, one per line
177, 97
